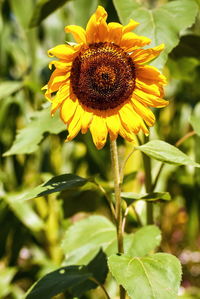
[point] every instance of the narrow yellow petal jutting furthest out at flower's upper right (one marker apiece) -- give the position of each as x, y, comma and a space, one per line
144, 56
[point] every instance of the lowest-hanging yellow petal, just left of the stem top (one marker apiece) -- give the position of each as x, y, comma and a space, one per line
99, 131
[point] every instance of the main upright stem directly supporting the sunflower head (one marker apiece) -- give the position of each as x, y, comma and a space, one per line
118, 204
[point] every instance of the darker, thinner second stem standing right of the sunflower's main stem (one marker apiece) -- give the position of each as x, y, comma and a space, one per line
148, 184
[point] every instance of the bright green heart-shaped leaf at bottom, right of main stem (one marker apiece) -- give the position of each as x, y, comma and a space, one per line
154, 277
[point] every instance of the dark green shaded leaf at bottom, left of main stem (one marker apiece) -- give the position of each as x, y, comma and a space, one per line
74, 279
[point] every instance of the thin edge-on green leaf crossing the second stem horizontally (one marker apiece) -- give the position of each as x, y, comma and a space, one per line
131, 197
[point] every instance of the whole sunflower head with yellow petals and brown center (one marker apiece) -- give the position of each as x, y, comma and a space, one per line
102, 83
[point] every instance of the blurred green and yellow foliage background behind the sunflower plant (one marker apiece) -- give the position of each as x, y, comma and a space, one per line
31, 231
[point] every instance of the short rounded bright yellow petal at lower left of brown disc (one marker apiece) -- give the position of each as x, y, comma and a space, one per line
68, 109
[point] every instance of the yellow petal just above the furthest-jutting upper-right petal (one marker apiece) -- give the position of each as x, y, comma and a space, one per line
131, 41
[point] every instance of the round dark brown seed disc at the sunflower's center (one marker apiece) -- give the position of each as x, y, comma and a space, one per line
103, 76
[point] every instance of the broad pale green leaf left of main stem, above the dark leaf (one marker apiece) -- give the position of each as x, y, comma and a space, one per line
83, 240
